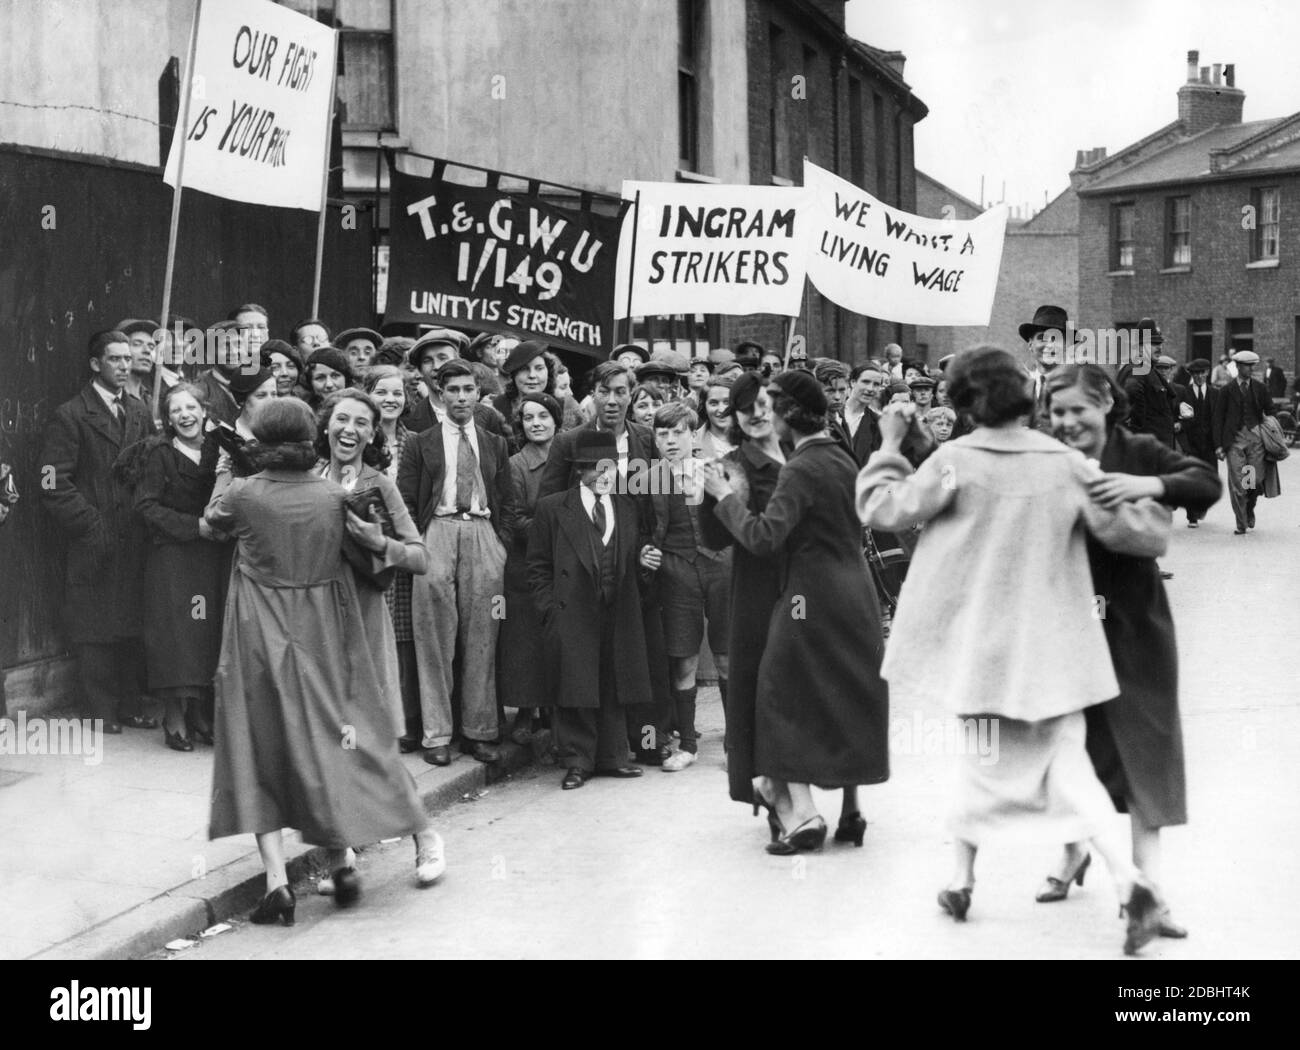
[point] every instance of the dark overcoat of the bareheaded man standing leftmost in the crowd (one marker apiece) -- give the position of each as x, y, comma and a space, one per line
93, 507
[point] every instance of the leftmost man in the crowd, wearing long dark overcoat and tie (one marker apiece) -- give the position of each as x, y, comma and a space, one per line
106, 565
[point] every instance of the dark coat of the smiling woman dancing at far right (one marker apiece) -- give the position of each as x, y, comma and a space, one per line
1136, 741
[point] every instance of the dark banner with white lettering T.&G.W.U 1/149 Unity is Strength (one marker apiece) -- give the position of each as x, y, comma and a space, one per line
495, 261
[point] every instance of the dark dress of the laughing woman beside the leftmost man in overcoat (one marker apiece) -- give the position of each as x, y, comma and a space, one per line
184, 574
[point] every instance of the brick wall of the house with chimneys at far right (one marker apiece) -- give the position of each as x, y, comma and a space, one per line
1219, 287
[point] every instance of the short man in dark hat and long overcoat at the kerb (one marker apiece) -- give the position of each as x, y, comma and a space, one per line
583, 556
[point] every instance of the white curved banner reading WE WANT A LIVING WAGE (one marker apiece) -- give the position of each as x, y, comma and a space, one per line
885, 263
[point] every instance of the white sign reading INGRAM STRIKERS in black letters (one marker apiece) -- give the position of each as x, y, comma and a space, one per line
712, 250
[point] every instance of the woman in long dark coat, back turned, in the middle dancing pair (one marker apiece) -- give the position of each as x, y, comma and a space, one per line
824, 710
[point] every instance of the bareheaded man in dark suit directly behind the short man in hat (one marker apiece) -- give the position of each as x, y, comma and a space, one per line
635, 449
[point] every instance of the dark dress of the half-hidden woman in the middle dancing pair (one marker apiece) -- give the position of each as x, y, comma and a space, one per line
755, 589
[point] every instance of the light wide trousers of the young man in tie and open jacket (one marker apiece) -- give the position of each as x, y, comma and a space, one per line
456, 608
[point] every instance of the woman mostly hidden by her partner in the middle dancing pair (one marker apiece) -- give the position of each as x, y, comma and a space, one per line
752, 470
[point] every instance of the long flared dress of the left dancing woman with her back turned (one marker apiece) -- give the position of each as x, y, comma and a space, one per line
304, 736
